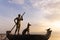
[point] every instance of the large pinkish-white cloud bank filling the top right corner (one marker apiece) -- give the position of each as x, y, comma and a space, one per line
46, 4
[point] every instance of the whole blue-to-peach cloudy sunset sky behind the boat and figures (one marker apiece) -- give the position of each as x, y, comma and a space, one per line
42, 14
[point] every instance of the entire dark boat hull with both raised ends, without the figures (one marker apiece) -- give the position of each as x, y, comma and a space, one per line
28, 37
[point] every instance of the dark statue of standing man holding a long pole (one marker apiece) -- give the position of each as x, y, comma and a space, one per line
17, 21
